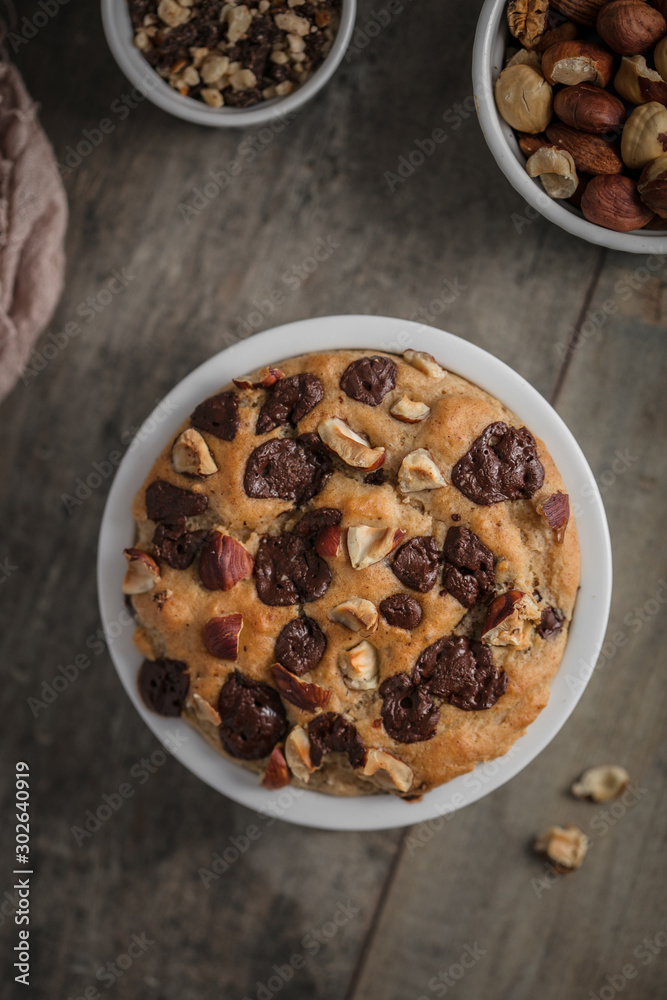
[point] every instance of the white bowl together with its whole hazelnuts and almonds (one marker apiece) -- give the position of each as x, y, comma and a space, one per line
572, 99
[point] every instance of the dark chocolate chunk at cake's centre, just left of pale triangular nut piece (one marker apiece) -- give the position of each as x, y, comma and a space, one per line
288, 570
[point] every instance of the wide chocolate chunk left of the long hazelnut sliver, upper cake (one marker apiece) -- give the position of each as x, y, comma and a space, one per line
288, 469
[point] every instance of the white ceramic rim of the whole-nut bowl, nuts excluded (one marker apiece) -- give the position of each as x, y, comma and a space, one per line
491, 40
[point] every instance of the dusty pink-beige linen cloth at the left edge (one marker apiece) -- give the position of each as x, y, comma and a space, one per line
33, 217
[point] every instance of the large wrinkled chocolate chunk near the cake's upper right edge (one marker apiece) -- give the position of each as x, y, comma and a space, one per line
501, 464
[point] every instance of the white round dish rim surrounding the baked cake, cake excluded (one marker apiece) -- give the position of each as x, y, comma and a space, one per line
375, 333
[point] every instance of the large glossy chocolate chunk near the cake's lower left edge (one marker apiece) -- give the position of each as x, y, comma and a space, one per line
252, 717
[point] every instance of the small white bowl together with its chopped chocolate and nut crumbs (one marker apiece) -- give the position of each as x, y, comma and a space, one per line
229, 64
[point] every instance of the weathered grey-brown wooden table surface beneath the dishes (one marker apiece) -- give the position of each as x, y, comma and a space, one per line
457, 908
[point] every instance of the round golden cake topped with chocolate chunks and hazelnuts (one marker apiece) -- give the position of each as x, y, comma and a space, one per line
354, 573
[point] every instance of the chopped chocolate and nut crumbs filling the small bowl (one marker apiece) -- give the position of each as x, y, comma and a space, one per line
234, 54
